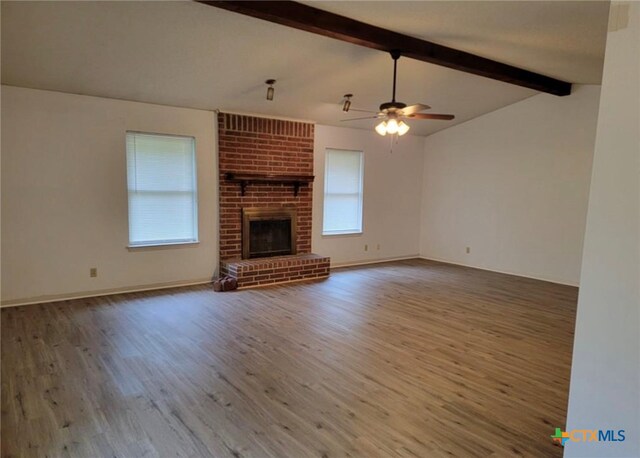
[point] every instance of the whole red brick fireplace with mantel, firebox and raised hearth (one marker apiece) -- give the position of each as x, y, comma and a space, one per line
266, 169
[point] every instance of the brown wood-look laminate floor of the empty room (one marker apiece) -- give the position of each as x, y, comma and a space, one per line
405, 359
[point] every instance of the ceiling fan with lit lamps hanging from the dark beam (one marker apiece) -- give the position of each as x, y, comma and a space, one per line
393, 113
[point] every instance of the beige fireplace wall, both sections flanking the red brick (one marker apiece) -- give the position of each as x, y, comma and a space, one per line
64, 201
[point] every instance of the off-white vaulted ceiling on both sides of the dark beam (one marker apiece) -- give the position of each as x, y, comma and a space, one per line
192, 55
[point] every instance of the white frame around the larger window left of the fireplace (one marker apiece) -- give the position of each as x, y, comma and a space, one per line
167, 243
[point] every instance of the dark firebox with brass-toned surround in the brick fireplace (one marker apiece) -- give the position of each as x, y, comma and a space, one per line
268, 232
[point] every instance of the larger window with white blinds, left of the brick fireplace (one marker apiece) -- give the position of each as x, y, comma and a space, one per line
161, 178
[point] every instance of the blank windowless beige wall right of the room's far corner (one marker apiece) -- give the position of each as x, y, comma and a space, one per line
513, 185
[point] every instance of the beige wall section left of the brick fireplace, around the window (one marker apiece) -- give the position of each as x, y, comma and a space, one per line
64, 196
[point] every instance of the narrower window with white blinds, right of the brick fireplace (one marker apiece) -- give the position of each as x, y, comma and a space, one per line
343, 192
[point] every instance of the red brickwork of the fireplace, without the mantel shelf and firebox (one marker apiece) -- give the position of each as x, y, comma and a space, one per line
249, 144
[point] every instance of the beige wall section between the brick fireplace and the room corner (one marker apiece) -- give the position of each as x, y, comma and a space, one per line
391, 196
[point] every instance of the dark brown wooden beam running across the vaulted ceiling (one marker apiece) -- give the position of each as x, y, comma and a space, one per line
310, 19
